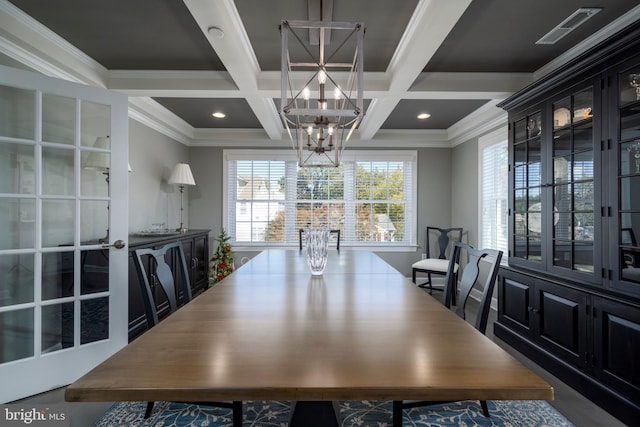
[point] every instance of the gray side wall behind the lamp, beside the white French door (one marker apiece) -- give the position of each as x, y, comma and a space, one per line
152, 156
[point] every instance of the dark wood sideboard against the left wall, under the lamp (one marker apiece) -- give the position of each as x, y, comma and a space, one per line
195, 244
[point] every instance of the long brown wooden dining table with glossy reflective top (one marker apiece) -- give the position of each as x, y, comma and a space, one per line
272, 331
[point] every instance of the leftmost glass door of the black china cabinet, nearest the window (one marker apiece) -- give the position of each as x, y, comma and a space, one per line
527, 180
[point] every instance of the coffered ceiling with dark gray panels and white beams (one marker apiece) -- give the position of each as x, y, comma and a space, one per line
454, 59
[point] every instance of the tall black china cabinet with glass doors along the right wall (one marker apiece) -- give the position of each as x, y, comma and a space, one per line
570, 297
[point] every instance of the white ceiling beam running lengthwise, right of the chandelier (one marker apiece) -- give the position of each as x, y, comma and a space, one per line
431, 22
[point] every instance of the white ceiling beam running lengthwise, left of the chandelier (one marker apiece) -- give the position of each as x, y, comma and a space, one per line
237, 55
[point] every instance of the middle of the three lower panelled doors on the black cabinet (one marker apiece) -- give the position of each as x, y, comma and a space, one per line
562, 321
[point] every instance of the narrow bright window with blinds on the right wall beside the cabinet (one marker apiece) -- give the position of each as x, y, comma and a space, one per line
493, 157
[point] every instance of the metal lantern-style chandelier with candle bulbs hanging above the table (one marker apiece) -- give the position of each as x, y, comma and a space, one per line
320, 130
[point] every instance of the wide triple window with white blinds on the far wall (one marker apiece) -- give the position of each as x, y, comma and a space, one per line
369, 197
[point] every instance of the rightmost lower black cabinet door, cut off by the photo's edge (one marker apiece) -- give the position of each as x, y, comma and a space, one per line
617, 346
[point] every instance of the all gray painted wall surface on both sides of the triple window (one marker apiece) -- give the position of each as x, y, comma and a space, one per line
447, 189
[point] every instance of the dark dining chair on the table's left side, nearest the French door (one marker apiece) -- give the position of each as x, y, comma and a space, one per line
156, 278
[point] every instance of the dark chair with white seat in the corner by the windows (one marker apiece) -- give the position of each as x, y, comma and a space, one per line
436, 263
